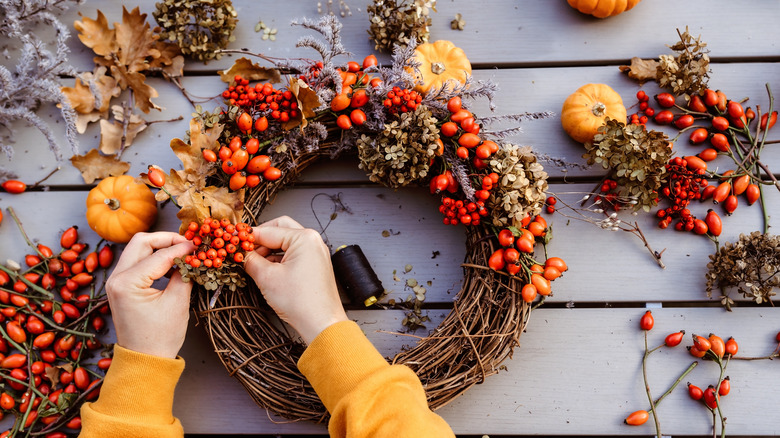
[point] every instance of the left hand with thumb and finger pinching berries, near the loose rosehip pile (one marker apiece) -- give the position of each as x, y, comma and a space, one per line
150, 320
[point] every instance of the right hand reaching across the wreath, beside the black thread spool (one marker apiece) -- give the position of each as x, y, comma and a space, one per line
298, 284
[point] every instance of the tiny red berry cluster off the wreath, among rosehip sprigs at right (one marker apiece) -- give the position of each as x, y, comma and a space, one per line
684, 185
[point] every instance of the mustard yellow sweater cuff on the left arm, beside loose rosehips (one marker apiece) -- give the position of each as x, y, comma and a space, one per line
136, 399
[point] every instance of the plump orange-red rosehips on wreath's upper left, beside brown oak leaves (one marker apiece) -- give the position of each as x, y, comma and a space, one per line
243, 162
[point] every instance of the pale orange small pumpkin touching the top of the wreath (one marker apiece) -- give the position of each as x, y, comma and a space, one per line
440, 62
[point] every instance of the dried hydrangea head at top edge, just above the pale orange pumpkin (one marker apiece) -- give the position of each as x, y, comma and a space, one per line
399, 22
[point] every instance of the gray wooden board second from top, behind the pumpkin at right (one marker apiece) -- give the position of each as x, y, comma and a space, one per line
523, 90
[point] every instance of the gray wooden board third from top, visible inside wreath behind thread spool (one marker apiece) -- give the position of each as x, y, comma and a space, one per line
604, 266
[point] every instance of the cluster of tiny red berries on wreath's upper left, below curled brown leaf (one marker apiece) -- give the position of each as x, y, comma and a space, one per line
262, 98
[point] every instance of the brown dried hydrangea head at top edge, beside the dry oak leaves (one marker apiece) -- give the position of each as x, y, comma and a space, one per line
200, 28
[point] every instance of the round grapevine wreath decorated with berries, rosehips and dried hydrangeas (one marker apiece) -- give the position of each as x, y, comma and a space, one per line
238, 158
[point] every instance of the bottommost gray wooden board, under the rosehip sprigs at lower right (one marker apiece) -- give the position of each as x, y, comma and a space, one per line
576, 372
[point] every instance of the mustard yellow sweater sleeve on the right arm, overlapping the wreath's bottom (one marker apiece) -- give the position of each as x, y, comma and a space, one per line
366, 396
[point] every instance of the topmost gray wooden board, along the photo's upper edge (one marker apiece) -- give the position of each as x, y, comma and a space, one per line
507, 32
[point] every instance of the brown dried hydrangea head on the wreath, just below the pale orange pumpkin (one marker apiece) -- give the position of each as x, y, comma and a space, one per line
402, 152
